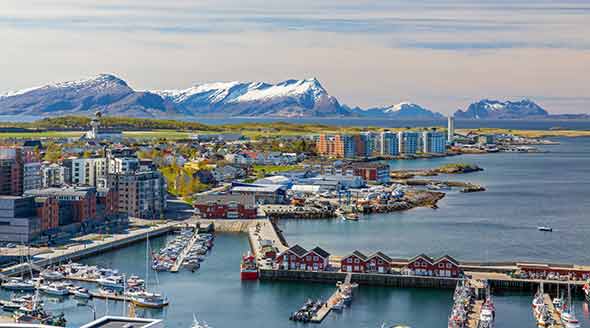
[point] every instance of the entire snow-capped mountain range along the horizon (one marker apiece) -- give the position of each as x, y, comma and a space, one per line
291, 98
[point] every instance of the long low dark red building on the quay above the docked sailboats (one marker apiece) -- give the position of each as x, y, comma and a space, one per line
226, 206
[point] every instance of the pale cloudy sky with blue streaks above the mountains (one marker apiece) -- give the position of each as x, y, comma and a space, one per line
437, 53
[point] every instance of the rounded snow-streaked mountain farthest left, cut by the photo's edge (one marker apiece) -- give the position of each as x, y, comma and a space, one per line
104, 92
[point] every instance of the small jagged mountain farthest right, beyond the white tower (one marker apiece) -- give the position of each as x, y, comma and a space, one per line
494, 109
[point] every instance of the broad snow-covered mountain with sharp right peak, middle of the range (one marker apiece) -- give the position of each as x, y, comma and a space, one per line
291, 98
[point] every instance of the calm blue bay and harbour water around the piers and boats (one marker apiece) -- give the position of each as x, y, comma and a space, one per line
524, 190
